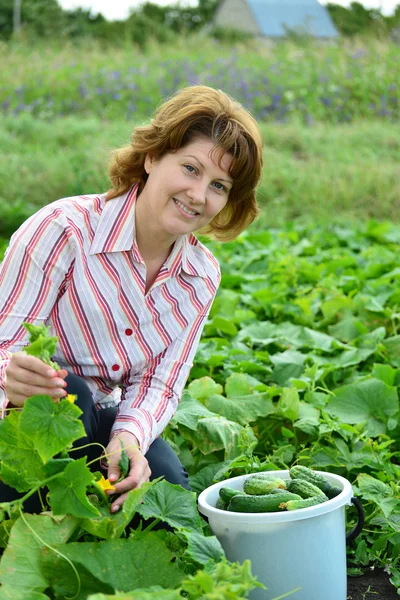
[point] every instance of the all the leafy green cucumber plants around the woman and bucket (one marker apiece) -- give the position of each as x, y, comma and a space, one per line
299, 363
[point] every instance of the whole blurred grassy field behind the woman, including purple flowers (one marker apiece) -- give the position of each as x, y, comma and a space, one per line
328, 114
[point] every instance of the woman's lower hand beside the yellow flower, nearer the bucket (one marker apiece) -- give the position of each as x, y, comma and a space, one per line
139, 470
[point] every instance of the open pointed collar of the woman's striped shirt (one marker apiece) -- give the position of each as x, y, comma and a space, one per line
116, 233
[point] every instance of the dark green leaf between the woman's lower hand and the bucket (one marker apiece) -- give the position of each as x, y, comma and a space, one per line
173, 505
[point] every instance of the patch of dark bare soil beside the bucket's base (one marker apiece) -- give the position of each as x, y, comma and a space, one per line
373, 585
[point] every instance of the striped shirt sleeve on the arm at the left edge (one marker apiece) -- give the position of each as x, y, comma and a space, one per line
32, 276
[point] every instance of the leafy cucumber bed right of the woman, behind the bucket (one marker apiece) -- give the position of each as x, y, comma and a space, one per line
300, 362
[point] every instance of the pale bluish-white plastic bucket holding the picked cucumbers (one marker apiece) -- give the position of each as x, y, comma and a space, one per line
302, 550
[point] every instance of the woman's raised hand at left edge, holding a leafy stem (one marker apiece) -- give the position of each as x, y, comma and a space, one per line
27, 376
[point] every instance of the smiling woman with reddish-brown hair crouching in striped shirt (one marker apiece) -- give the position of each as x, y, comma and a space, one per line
125, 285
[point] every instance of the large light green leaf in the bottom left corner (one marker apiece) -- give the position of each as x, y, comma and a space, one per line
20, 566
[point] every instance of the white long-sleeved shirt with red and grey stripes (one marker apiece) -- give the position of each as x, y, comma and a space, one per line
75, 266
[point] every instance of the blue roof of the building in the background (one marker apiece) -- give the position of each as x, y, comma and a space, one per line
275, 17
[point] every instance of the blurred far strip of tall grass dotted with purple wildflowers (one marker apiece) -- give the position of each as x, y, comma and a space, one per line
336, 82
